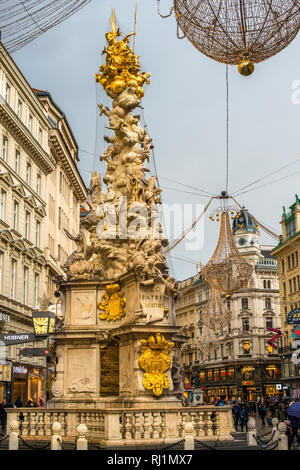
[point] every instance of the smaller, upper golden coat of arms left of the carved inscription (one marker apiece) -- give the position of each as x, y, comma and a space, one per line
113, 303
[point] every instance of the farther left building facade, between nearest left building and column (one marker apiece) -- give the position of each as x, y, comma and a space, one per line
65, 192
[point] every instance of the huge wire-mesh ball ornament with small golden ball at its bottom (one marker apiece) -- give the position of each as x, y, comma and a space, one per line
241, 32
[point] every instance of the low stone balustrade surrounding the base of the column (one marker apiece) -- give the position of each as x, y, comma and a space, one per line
126, 426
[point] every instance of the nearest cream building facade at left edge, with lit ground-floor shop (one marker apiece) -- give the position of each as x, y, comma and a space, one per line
25, 163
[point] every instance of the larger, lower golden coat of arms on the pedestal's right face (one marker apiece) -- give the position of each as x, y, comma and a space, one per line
155, 361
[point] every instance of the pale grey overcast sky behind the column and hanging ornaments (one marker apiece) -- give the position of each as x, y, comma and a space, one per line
185, 111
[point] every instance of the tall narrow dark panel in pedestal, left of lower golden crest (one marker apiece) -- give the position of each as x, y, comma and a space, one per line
109, 382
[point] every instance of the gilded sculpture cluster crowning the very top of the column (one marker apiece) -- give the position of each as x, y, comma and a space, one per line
121, 68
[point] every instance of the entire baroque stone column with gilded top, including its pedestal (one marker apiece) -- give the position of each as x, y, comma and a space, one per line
117, 342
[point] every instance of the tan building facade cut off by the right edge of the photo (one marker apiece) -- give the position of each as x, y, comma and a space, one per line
287, 253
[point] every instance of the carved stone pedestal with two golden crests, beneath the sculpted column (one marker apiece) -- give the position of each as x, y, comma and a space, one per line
115, 347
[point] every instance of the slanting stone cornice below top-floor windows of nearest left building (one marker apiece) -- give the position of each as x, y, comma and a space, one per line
24, 137
